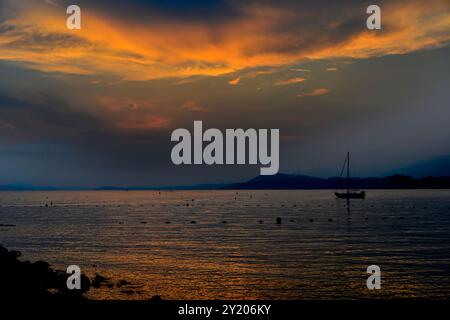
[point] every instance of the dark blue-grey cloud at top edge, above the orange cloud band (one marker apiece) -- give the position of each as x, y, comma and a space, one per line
343, 18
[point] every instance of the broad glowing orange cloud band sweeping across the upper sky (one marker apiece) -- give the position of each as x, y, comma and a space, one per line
262, 35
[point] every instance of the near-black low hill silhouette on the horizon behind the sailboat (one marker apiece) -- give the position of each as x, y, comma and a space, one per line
289, 181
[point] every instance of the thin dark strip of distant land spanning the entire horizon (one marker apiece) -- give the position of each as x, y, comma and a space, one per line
275, 182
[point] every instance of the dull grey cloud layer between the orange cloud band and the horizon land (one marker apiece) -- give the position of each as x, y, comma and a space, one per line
377, 114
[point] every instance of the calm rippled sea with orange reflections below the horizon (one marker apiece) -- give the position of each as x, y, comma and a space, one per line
235, 249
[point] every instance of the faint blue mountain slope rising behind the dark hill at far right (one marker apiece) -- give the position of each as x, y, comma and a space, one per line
435, 167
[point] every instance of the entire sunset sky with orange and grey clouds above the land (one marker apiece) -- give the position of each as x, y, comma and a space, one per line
96, 106
